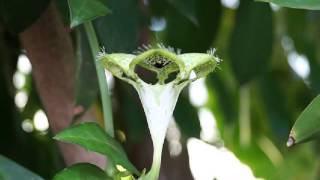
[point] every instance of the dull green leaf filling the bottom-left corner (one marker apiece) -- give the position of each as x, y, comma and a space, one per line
10, 170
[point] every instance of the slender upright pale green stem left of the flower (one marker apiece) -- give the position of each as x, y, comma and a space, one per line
103, 85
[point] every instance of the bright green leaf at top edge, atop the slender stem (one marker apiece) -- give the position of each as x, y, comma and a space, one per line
86, 10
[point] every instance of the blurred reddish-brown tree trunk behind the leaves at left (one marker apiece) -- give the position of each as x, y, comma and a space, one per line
49, 47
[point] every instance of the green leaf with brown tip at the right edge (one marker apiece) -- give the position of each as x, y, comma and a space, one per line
307, 126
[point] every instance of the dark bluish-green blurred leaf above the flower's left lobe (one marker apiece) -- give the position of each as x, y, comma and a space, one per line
121, 30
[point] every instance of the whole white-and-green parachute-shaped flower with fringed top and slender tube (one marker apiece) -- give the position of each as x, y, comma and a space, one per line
159, 99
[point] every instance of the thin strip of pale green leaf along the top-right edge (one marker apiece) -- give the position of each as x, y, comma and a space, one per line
301, 4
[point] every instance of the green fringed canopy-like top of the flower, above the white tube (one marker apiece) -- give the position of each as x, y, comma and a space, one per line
162, 61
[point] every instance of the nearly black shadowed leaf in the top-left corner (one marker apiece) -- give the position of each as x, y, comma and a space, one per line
18, 15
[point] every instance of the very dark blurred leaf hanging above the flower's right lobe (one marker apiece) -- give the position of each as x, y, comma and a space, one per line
196, 30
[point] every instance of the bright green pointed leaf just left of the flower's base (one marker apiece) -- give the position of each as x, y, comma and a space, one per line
92, 137
